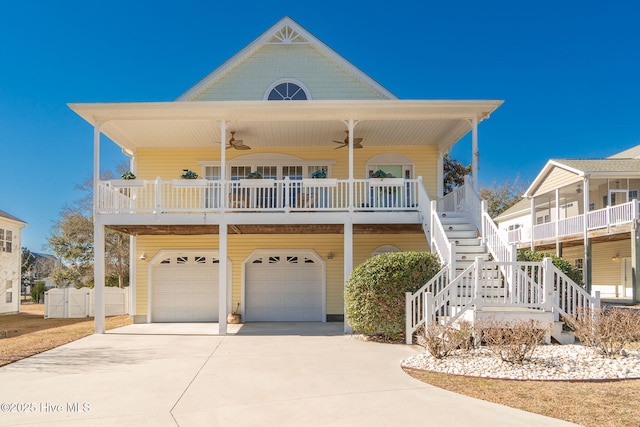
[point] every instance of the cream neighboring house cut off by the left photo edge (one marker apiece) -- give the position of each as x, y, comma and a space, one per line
10, 266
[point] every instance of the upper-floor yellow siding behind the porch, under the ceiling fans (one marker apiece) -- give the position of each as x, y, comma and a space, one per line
169, 163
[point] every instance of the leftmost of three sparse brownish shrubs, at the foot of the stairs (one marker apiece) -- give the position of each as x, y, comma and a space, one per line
440, 340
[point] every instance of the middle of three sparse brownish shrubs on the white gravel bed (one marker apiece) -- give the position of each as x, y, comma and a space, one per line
512, 342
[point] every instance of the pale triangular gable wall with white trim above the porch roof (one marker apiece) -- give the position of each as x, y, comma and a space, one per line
286, 52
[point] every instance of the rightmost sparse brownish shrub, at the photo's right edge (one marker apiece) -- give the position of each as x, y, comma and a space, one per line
606, 331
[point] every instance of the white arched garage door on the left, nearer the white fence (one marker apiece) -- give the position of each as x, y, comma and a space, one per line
185, 289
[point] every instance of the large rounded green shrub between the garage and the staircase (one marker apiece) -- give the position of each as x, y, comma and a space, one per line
374, 293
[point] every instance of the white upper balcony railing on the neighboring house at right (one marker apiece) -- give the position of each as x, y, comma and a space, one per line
602, 218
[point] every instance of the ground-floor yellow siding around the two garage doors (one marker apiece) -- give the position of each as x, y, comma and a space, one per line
241, 247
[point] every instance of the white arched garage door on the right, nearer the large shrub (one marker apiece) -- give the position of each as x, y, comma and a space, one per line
284, 286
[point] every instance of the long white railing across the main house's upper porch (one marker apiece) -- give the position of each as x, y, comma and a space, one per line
264, 195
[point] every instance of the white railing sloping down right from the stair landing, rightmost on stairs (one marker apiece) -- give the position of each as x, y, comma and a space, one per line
570, 299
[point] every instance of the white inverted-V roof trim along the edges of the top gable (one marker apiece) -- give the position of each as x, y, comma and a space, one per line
264, 39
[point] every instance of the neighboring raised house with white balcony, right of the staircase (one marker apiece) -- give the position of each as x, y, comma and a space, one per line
551, 217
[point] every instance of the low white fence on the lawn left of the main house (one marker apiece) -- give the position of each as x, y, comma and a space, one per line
76, 303
